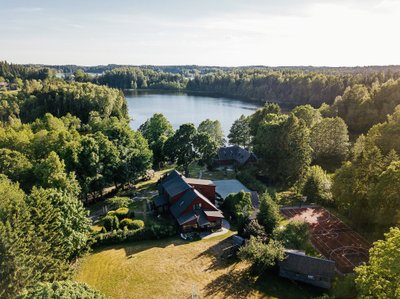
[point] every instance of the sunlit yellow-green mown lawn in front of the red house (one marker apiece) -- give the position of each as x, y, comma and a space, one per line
174, 268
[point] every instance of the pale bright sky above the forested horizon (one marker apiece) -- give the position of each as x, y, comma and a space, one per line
202, 32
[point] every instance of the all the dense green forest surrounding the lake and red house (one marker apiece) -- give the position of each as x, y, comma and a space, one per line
64, 141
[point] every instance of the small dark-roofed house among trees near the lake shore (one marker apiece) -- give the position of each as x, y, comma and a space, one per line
234, 155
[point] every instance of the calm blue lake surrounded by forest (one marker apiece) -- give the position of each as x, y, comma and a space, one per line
180, 108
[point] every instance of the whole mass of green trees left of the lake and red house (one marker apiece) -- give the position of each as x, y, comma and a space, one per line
61, 144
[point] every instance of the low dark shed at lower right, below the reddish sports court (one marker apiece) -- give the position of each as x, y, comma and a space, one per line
301, 267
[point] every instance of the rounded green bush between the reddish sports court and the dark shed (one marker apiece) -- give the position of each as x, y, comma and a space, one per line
294, 235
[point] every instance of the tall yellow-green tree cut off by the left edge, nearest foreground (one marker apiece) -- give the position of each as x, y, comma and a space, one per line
26, 258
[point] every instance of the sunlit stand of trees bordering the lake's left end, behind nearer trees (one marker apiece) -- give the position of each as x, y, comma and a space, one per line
38, 97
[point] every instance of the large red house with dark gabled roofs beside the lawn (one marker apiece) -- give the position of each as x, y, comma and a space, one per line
190, 201
